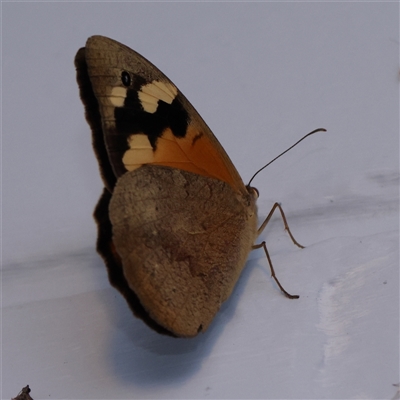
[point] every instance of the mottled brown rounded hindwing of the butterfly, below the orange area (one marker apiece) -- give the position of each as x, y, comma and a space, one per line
183, 239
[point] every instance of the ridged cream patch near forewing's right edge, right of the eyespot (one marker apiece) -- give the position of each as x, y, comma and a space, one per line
150, 94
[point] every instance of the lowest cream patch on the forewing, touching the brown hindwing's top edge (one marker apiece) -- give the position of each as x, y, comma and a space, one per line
140, 152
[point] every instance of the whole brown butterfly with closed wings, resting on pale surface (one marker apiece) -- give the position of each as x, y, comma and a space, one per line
175, 221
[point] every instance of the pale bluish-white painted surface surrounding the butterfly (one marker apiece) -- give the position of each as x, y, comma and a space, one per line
261, 75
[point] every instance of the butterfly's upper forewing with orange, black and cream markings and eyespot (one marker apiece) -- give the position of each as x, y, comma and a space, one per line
147, 120
